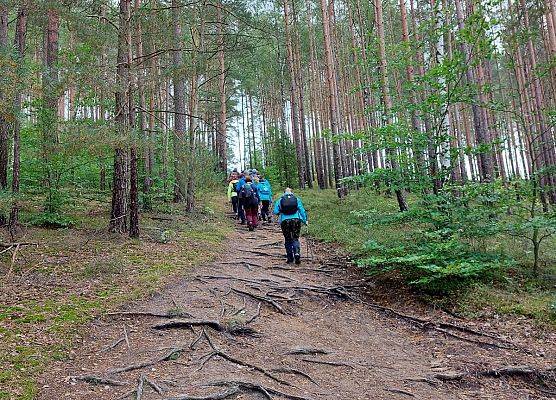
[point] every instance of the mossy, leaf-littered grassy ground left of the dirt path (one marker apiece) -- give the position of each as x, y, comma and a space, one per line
92, 273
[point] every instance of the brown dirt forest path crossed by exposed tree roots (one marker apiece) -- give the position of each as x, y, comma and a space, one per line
237, 322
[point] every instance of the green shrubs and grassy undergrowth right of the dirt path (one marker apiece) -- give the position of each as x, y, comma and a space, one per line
454, 245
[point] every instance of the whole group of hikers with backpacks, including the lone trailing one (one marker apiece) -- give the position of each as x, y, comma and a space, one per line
251, 197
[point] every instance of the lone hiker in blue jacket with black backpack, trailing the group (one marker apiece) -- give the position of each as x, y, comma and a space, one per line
292, 215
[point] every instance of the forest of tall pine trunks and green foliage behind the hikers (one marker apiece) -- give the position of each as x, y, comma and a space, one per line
146, 98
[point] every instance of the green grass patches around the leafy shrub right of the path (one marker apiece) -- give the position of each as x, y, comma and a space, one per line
519, 293
